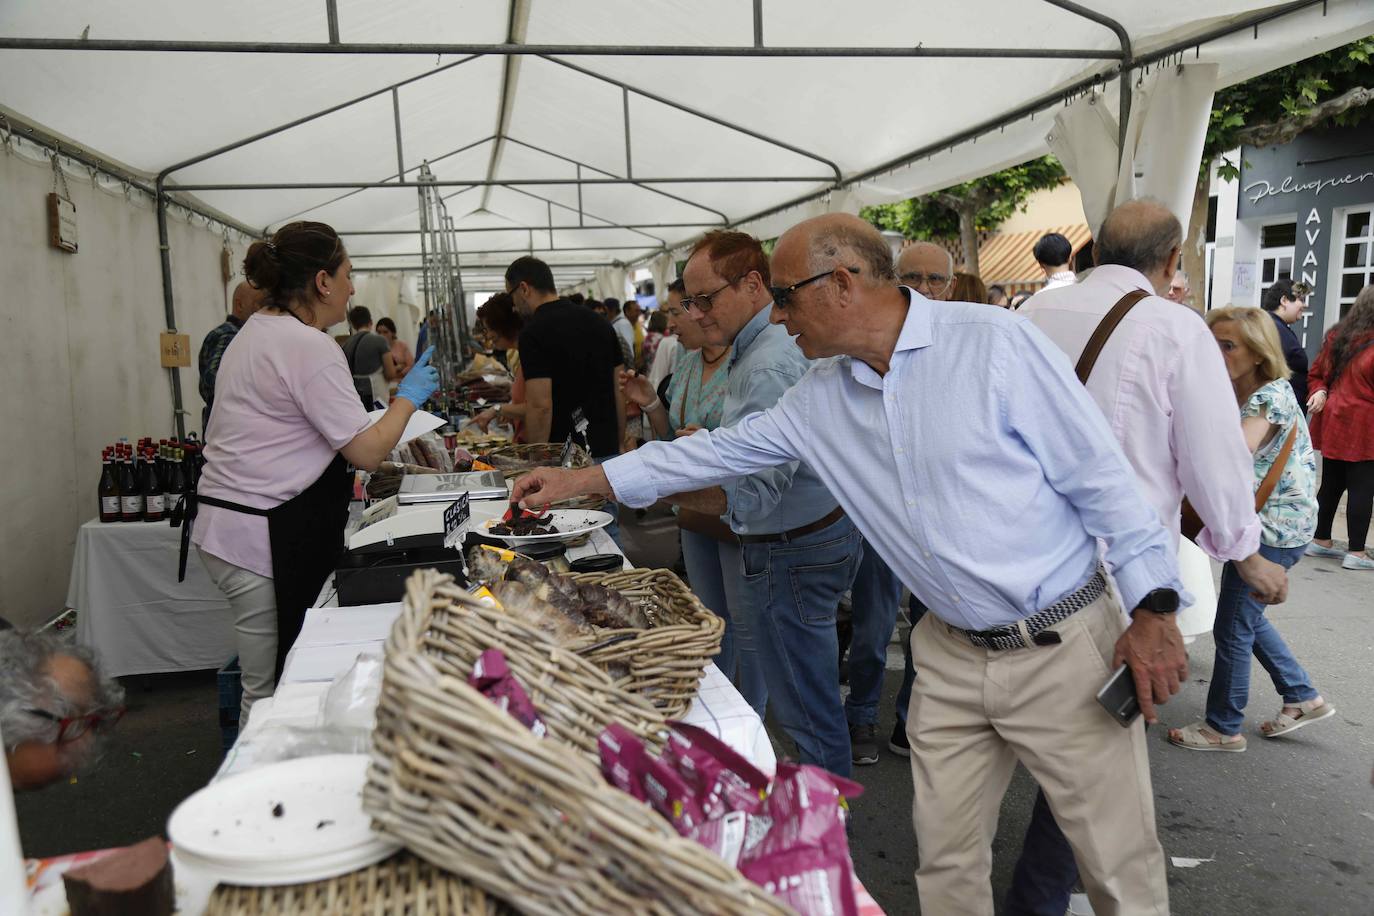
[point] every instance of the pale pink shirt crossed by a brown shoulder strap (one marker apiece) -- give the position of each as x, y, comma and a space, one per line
1163, 385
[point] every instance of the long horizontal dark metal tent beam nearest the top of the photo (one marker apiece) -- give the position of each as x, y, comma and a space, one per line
541, 50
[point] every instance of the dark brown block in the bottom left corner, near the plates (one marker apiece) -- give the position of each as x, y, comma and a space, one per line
135, 881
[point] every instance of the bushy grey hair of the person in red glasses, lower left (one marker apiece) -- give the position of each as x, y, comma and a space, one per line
27, 683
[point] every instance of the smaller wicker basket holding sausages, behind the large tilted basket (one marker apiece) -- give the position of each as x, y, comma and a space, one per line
666, 661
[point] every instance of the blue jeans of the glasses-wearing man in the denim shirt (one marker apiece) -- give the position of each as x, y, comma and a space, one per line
789, 595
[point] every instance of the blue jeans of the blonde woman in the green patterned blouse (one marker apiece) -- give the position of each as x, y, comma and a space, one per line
1241, 630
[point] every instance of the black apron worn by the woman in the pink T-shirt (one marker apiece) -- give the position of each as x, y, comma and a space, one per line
307, 540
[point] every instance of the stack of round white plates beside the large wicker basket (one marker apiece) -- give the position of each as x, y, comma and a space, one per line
286, 823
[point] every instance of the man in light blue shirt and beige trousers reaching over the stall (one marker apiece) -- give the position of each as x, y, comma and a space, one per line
964, 447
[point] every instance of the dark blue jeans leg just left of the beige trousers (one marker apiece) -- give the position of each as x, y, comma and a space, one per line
875, 597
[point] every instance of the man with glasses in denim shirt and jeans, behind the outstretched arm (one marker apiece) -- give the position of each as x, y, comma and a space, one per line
799, 551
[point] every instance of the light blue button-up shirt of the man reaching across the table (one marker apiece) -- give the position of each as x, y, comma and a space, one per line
978, 468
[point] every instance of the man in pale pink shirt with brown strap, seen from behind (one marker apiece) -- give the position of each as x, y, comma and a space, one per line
1163, 387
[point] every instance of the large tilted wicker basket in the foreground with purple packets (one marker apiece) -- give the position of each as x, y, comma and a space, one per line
531, 821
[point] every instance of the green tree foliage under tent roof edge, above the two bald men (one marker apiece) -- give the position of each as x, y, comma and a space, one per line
993, 200
